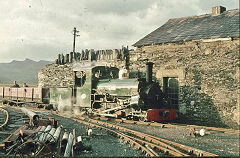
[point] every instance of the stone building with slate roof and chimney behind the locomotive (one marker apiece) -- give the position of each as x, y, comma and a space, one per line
197, 63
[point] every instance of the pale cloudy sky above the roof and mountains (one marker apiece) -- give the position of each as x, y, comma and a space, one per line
41, 29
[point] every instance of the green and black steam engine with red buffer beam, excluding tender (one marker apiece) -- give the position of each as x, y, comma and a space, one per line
134, 98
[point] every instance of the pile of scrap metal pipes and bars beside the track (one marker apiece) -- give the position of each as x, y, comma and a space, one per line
42, 137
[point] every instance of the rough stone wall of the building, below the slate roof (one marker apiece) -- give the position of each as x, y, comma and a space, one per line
208, 74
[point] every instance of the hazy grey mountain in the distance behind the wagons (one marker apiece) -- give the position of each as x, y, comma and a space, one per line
21, 71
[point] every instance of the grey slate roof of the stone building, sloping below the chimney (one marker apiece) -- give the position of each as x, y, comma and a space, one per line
194, 28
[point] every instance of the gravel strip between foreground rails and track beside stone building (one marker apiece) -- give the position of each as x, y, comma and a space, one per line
222, 144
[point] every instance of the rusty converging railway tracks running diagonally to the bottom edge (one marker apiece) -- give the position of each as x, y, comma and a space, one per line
151, 145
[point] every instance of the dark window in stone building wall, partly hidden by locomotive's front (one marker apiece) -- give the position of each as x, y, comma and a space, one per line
171, 88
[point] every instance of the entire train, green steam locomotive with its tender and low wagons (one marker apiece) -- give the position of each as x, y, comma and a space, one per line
106, 91
